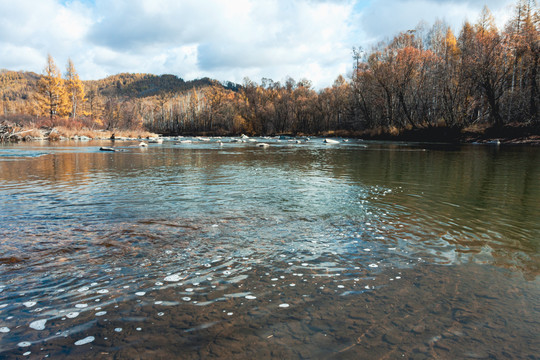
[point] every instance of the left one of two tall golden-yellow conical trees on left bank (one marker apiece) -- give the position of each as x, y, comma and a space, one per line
52, 97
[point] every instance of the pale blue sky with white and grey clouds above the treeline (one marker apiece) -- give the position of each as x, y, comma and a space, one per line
226, 40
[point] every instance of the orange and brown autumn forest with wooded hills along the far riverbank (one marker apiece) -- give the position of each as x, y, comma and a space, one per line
424, 78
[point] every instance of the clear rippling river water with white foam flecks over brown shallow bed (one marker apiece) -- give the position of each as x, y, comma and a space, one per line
357, 250
